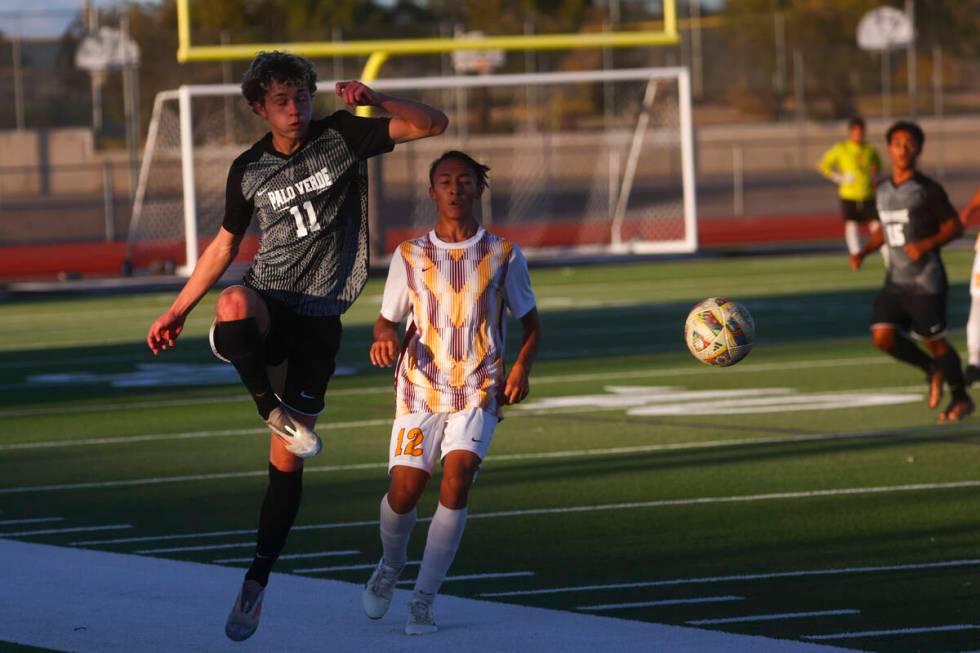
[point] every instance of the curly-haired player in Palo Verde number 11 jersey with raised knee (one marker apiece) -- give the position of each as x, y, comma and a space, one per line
305, 183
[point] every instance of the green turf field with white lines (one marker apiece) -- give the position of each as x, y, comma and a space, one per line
806, 493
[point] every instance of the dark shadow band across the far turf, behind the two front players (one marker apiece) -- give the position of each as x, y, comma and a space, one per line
569, 334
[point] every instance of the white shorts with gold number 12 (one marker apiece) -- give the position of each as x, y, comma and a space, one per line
419, 440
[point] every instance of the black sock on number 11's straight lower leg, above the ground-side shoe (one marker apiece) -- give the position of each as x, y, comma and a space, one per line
279, 509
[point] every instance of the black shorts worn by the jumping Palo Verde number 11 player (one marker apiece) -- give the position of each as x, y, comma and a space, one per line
309, 347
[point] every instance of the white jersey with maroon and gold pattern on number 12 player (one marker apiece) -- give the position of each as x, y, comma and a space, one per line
452, 357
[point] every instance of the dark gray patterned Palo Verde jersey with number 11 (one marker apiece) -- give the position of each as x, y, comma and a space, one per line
311, 209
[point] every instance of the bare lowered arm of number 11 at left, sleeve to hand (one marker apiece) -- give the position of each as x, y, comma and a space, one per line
213, 262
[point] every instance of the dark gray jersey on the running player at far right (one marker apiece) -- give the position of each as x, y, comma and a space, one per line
909, 212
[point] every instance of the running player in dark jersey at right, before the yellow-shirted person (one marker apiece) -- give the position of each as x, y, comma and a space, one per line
917, 219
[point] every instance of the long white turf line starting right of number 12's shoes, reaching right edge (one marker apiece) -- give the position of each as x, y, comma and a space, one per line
743, 577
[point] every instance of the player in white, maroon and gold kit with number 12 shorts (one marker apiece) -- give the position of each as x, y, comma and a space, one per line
453, 284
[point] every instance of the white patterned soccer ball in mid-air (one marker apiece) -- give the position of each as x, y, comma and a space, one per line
719, 332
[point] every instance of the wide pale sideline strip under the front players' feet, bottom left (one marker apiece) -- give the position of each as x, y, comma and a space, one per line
93, 601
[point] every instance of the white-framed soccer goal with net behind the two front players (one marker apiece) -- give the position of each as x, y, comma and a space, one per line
582, 163
